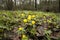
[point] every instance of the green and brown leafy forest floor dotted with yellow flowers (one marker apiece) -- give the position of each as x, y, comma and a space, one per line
29, 25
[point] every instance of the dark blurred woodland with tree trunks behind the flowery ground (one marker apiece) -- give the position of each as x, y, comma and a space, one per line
41, 5
